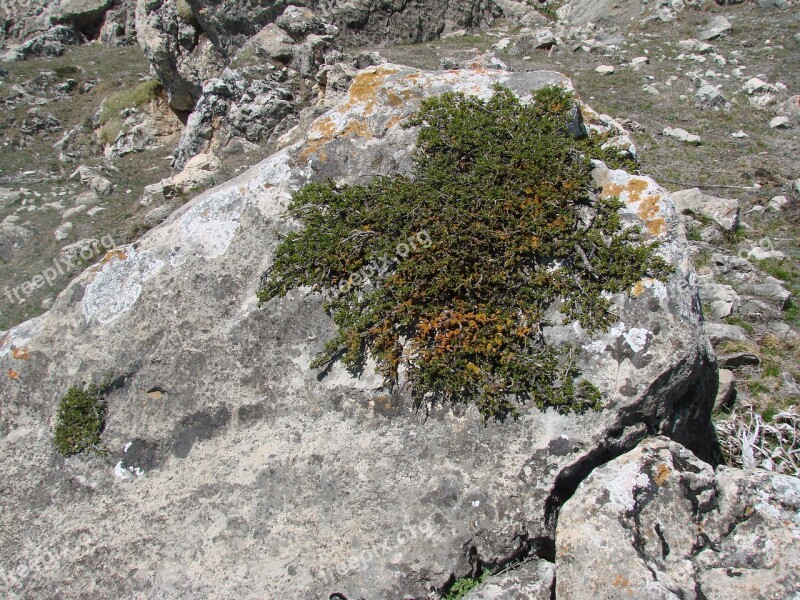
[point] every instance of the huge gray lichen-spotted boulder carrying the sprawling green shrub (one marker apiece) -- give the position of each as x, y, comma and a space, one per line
235, 470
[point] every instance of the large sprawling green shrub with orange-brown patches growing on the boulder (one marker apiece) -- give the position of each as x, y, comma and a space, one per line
449, 272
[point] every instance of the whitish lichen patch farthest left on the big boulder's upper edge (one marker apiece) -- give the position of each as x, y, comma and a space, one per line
118, 284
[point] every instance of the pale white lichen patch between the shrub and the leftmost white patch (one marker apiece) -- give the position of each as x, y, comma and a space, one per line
207, 230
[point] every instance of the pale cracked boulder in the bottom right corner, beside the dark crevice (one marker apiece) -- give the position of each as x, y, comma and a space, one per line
659, 523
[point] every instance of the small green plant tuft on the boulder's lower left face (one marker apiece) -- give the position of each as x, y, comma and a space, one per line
80, 420
